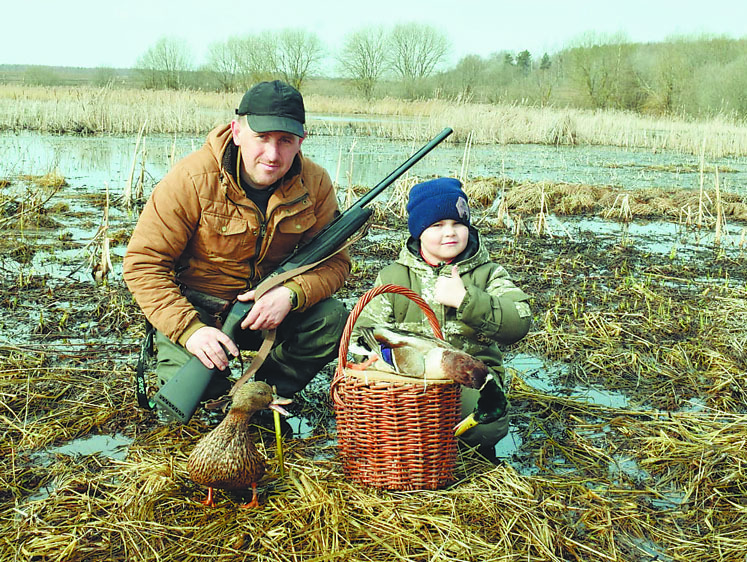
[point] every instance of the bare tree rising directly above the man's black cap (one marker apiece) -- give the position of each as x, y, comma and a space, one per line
298, 53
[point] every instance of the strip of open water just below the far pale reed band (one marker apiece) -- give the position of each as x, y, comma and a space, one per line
93, 161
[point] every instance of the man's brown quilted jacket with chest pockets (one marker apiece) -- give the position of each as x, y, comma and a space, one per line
199, 229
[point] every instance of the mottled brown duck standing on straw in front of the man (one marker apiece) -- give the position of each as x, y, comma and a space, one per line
226, 458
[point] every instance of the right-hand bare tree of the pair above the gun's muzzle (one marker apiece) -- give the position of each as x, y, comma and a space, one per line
415, 52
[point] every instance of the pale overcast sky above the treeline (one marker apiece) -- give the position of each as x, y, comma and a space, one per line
94, 33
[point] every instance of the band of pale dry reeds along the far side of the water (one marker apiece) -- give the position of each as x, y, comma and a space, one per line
104, 110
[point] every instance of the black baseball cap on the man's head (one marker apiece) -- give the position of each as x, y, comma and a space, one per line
273, 106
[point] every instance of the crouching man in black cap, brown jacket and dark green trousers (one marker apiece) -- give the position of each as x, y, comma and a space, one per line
222, 219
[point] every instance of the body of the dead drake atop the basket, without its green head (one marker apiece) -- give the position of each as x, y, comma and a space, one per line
418, 356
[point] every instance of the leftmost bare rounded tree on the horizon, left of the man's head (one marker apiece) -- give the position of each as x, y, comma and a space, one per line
165, 63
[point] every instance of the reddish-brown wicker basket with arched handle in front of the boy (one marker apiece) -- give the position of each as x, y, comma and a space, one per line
395, 432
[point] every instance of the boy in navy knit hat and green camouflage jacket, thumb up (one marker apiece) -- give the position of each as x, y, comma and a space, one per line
477, 305
